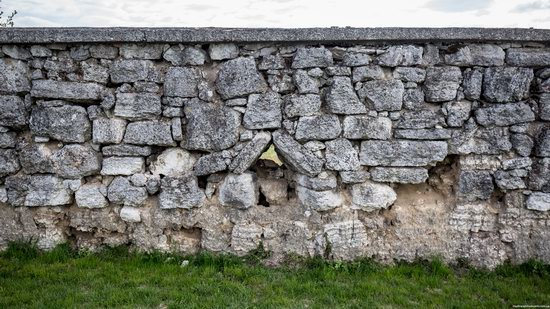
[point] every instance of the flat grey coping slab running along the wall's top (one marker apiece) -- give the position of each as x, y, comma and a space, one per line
254, 35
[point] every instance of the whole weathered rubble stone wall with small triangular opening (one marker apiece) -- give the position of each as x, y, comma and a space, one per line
391, 149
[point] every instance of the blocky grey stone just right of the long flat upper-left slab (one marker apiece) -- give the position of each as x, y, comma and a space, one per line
137, 106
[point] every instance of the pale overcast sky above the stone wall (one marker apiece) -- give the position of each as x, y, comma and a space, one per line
281, 13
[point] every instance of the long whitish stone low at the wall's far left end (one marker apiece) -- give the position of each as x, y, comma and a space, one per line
37, 190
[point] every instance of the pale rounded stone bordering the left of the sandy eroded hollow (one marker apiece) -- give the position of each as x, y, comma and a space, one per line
370, 196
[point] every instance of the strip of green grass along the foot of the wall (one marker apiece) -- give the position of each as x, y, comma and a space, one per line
118, 278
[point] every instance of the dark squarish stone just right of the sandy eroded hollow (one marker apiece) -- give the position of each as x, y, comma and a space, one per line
475, 185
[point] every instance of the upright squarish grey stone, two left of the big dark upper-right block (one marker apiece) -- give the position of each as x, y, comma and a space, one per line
442, 83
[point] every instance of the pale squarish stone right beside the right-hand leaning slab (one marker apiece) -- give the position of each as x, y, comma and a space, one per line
341, 156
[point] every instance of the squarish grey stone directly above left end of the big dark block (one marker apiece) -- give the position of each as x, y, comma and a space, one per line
182, 82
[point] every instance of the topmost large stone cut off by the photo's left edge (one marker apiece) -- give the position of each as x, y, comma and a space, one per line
14, 76
